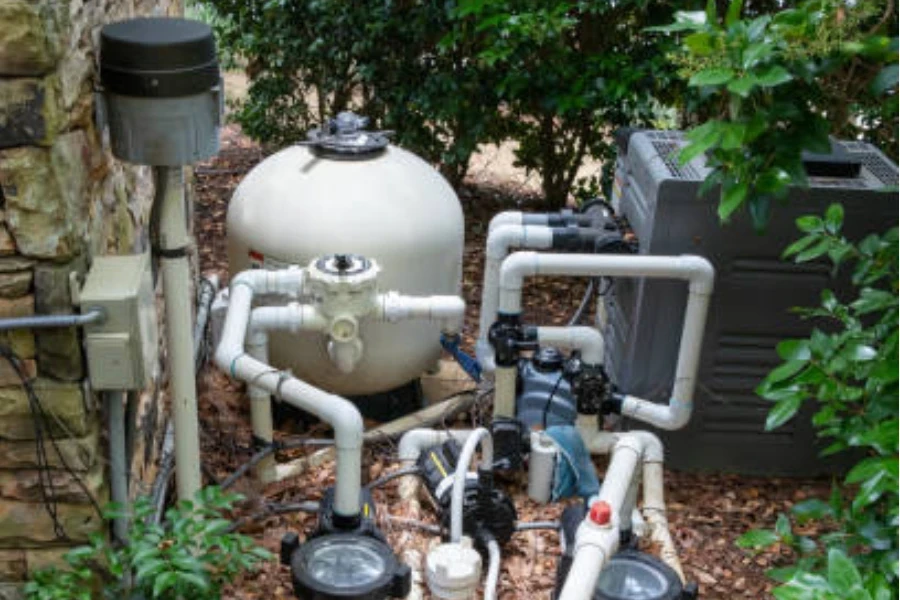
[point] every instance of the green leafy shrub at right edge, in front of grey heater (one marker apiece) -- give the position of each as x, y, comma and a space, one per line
848, 367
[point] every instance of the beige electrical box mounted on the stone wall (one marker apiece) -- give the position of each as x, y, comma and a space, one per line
122, 350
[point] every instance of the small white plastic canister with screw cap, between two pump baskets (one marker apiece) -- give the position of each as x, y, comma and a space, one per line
453, 571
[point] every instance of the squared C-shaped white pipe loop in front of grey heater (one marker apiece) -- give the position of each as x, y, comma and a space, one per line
697, 271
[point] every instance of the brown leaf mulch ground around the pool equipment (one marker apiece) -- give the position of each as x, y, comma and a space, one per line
707, 512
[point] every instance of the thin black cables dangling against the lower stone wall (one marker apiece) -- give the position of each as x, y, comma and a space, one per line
41, 421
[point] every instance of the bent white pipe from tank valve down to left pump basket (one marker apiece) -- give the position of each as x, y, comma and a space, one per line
341, 414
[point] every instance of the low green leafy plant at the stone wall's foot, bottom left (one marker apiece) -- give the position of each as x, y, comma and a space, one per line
193, 554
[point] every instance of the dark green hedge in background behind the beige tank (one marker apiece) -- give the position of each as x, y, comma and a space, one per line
448, 76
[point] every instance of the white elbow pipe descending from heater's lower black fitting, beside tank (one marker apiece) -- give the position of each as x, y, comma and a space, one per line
502, 237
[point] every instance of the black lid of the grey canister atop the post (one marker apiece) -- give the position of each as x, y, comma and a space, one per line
158, 57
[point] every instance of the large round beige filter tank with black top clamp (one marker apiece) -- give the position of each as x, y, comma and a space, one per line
350, 192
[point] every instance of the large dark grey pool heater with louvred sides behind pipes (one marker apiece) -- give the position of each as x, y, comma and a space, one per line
750, 311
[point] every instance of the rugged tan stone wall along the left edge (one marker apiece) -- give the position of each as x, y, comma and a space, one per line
63, 199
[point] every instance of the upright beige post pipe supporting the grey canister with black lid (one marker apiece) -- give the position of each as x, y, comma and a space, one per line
176, 276
